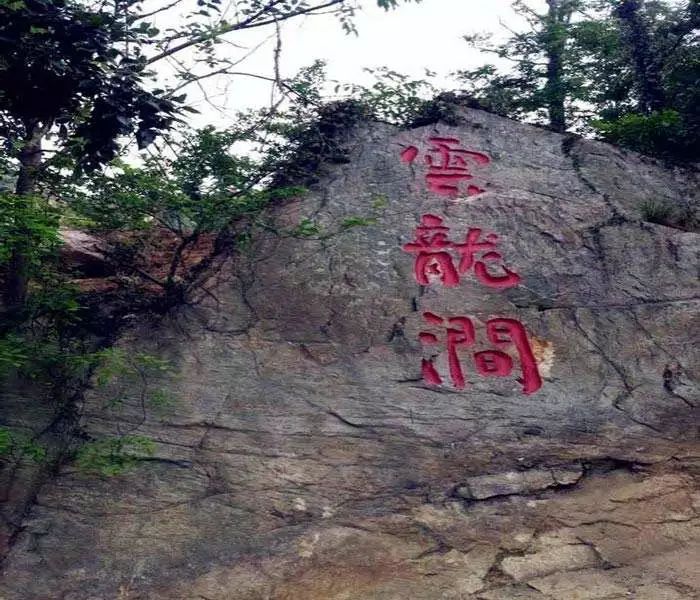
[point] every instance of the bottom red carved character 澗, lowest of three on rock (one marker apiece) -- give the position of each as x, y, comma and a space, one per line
489, 363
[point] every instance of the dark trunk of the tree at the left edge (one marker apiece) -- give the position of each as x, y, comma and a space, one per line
15, 292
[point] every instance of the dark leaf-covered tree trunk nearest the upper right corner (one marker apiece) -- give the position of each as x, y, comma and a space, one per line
647, 69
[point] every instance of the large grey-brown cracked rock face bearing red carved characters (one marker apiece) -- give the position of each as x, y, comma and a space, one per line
309, 451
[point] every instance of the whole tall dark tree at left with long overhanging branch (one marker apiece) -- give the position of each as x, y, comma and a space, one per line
81, 75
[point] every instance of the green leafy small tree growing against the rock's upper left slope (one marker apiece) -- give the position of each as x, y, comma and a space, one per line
198, 187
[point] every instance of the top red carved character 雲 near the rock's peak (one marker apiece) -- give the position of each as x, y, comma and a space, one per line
448, 164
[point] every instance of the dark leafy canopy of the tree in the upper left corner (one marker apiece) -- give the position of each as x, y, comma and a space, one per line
69, 69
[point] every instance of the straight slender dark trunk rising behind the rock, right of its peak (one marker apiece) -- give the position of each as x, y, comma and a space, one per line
555, 45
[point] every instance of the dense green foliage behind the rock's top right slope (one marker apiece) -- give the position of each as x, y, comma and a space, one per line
627, 71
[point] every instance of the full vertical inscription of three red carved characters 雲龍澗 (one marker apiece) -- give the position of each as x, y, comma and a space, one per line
438, 258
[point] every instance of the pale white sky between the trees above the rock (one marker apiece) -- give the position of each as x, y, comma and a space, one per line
410, 39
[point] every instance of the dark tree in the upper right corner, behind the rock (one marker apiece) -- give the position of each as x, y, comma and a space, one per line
659, 52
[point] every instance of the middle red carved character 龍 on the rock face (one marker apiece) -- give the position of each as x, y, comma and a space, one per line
431, 246
